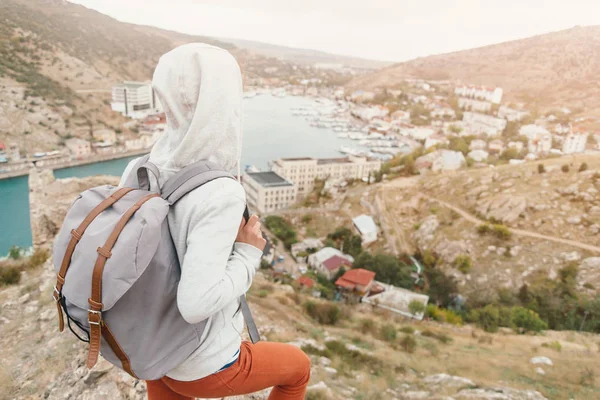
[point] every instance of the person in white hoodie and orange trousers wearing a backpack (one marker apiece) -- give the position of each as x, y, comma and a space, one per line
200, 89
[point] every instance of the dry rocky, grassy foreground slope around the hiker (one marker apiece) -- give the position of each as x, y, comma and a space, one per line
366, 353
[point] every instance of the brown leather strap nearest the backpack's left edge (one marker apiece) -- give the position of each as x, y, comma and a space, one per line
76, 235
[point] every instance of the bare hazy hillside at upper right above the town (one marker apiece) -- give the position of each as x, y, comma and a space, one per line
559, 69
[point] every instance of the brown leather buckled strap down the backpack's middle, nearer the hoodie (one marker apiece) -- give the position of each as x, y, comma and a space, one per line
95, 301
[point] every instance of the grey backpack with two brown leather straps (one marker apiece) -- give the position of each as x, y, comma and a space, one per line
118, 271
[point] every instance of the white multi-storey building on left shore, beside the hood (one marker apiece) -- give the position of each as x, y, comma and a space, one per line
134, 99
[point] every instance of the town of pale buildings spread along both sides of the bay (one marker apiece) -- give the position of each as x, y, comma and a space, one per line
446, 126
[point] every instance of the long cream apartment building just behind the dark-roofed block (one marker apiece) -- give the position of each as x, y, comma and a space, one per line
304, 170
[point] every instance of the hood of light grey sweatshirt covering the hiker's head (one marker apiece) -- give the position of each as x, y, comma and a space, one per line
200, 89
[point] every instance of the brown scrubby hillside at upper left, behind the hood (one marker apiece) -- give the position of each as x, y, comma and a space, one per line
58, 61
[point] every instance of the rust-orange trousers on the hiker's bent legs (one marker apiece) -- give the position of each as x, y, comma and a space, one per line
259, 366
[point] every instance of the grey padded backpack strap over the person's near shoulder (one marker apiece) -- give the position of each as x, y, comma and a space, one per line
191, 177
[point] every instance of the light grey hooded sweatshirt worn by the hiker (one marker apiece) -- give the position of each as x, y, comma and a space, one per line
200, 88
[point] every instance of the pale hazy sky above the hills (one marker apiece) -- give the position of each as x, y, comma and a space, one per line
393, 30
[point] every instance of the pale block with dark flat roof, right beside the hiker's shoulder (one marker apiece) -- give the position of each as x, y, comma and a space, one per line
267, 191
